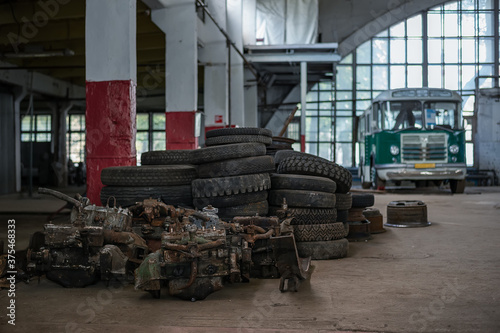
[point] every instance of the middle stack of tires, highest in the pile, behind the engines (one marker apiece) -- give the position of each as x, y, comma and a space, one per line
235, 184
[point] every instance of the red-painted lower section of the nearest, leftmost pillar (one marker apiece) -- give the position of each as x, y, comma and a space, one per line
111, 129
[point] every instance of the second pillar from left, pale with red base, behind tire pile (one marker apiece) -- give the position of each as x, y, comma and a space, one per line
178, 20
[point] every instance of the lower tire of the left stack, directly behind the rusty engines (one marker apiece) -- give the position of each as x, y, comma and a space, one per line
127, 196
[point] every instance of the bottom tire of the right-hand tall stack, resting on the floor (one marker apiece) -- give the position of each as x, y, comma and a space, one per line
335, 249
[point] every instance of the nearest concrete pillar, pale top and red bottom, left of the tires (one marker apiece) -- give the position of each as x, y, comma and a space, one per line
111, 74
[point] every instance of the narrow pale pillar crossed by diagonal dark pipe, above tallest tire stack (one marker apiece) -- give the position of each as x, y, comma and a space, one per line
235, 32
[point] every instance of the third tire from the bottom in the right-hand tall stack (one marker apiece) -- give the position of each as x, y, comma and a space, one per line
308, 215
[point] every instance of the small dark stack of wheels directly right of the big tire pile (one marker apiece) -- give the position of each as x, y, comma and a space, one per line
359, 226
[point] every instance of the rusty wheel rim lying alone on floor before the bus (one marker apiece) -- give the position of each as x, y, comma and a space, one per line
407, 214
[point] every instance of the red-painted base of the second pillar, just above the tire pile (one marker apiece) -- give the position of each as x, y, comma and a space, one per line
180, 127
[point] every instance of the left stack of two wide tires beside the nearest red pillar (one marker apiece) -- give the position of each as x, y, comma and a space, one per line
130, 184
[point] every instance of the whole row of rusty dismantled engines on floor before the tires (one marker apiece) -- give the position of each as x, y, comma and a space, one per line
196, 253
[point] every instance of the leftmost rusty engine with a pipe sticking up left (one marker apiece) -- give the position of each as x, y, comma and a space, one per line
97, 243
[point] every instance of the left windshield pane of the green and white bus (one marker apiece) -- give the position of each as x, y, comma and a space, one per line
399, 115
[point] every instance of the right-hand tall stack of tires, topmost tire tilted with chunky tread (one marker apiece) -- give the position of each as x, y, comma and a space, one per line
310, 185
